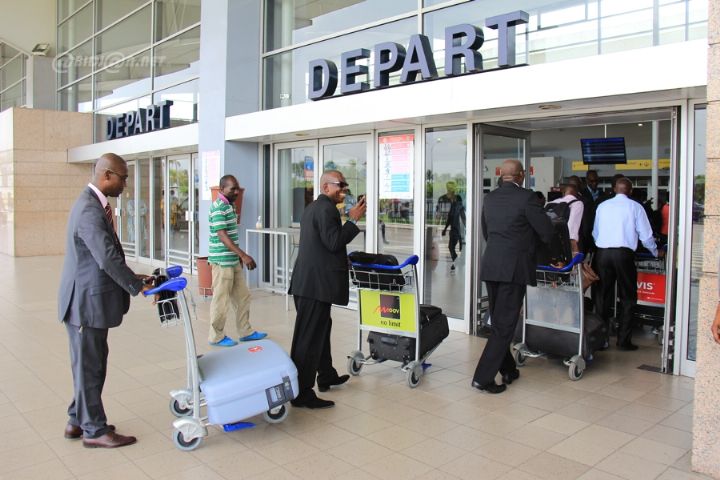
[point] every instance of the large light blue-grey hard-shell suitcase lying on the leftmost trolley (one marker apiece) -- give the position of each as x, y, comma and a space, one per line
246, 380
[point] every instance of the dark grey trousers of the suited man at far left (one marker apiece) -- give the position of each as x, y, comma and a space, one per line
88, 357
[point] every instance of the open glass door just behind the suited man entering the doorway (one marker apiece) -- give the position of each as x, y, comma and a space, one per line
493, 145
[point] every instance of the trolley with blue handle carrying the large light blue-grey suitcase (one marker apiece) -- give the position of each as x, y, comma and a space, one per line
233, 384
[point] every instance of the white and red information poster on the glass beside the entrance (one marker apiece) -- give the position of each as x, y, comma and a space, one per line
396, 162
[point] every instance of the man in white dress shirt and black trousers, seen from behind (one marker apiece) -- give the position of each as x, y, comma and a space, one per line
619, 223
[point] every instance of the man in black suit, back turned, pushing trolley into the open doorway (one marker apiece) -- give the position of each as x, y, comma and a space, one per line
511, 219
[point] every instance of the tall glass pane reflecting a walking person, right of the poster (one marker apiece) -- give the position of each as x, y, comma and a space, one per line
445, 220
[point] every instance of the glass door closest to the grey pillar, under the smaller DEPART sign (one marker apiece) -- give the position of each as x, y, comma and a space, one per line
179, 206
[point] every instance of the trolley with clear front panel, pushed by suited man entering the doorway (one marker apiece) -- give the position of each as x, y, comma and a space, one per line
554, 320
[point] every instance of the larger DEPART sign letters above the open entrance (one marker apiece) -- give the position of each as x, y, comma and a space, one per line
461, 42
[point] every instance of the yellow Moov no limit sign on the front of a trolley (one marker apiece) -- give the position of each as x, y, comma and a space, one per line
392, 311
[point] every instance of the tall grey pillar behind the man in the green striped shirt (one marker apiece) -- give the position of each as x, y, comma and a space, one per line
230, 62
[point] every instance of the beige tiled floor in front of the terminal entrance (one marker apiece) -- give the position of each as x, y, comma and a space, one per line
617, 422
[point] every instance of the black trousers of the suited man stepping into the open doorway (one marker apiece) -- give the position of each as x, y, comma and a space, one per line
505, 303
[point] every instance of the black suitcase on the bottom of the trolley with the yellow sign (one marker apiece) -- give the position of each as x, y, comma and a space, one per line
433, 330
